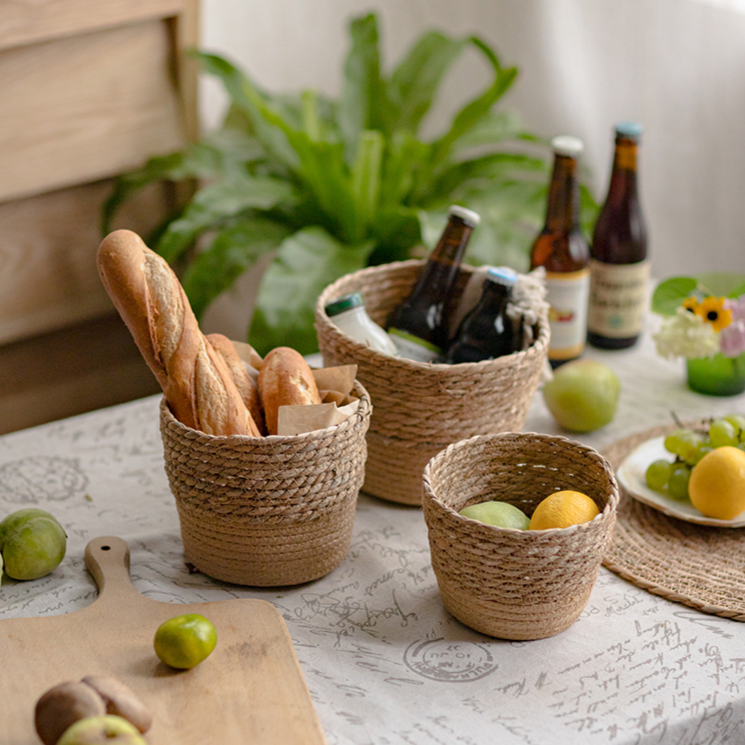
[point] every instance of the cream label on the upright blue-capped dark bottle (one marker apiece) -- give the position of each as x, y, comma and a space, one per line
618, 298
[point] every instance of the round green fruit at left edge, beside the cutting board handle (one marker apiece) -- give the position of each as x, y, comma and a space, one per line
32, 543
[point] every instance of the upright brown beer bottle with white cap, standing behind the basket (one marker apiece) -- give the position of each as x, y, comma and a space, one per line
562, 250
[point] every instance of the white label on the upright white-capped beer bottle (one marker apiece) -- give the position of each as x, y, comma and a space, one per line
567, 294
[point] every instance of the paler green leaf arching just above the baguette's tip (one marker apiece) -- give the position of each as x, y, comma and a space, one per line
215, 203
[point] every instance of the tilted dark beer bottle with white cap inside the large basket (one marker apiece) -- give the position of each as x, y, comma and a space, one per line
419, 325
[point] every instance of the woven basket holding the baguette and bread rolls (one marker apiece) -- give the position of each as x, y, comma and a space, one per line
267, 511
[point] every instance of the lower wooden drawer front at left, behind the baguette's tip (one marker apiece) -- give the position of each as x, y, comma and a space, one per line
48, 275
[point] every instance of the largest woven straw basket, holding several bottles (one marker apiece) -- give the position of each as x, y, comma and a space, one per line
422, 408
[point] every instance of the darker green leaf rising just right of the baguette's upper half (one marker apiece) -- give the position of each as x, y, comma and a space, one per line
231, 252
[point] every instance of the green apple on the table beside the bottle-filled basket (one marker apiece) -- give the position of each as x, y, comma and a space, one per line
583, 395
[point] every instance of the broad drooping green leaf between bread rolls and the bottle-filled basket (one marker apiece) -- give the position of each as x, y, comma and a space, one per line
305, 264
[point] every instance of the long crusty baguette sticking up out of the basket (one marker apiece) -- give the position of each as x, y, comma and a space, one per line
194, 377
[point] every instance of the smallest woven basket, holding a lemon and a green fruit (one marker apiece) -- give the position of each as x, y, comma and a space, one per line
516, 584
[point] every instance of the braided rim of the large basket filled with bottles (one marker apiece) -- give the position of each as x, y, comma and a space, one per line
538, 346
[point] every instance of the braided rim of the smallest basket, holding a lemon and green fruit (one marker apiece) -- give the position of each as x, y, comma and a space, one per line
608, 512
